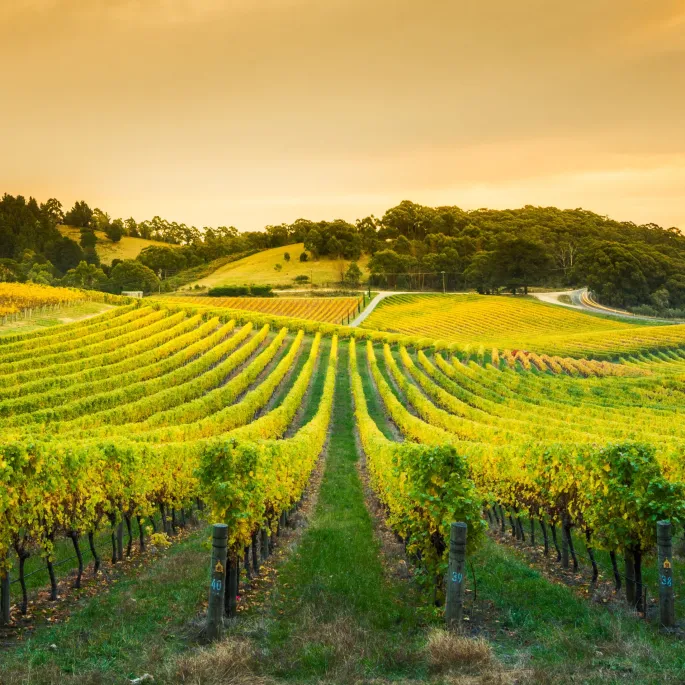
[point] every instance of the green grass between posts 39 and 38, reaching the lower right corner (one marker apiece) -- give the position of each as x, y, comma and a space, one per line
557, 632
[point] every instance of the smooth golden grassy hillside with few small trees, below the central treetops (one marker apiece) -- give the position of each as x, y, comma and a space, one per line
260, 268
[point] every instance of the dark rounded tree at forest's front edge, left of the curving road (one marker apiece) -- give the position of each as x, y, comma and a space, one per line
519, 262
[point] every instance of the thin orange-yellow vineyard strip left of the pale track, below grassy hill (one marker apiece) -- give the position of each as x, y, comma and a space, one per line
327, 309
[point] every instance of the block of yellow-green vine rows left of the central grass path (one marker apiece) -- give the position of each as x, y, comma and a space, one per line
109, 433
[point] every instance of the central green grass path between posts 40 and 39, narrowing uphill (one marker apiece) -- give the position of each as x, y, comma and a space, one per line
334, 614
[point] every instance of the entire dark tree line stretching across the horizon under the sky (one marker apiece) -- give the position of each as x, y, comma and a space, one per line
410, 247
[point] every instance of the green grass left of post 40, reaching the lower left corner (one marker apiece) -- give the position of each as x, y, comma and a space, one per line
135, 627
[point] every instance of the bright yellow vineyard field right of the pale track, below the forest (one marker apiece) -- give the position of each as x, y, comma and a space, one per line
500, 321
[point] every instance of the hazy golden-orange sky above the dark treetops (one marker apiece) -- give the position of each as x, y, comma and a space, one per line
250, 112
